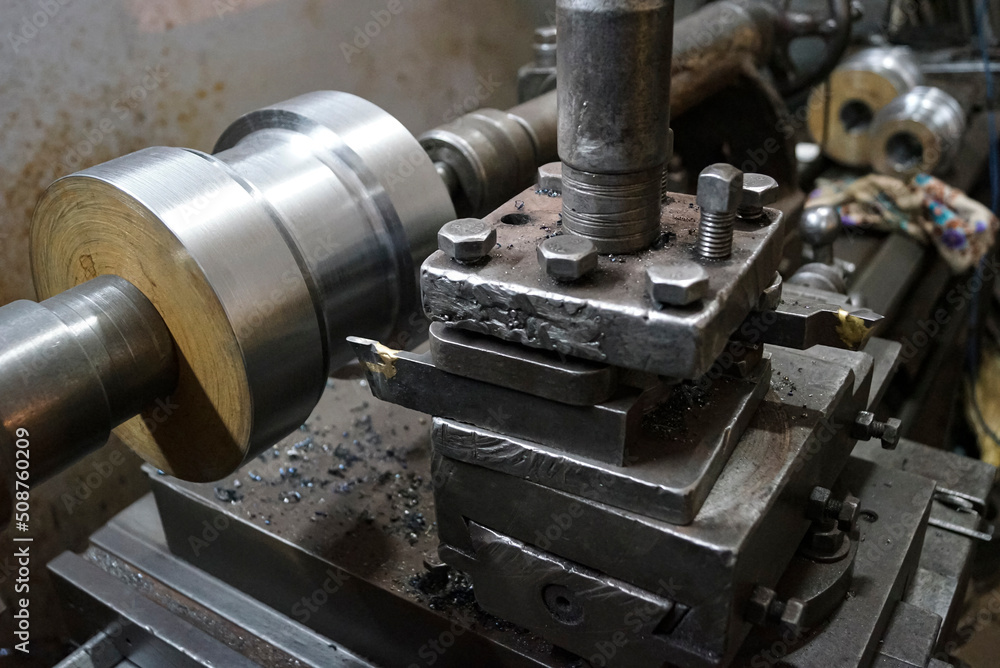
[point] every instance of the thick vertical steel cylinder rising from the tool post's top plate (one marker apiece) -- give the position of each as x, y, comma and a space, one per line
614, 111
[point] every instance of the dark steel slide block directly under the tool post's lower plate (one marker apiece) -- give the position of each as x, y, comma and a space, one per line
745, 533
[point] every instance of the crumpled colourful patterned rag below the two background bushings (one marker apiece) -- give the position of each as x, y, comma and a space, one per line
929, 210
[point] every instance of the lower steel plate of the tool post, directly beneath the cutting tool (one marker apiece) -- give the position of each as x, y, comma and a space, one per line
668, 471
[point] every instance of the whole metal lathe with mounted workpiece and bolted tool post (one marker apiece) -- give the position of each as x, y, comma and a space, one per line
630, 441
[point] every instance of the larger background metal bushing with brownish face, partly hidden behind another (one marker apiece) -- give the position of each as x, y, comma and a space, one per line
842, 111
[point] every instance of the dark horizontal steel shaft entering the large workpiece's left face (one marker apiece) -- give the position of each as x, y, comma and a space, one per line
73, 368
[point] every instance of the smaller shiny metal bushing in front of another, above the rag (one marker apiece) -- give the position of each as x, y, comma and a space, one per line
917, 132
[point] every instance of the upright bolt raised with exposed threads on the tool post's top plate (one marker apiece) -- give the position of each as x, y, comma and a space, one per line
720, 191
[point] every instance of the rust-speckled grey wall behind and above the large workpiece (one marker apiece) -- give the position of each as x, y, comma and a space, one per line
83, 81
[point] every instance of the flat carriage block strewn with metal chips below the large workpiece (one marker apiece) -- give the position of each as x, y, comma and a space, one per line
344, 507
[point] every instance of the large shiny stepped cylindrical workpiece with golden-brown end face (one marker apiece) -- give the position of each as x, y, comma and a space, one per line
308, 225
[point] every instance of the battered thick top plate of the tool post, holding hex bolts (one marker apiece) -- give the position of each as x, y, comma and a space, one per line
606, 316
